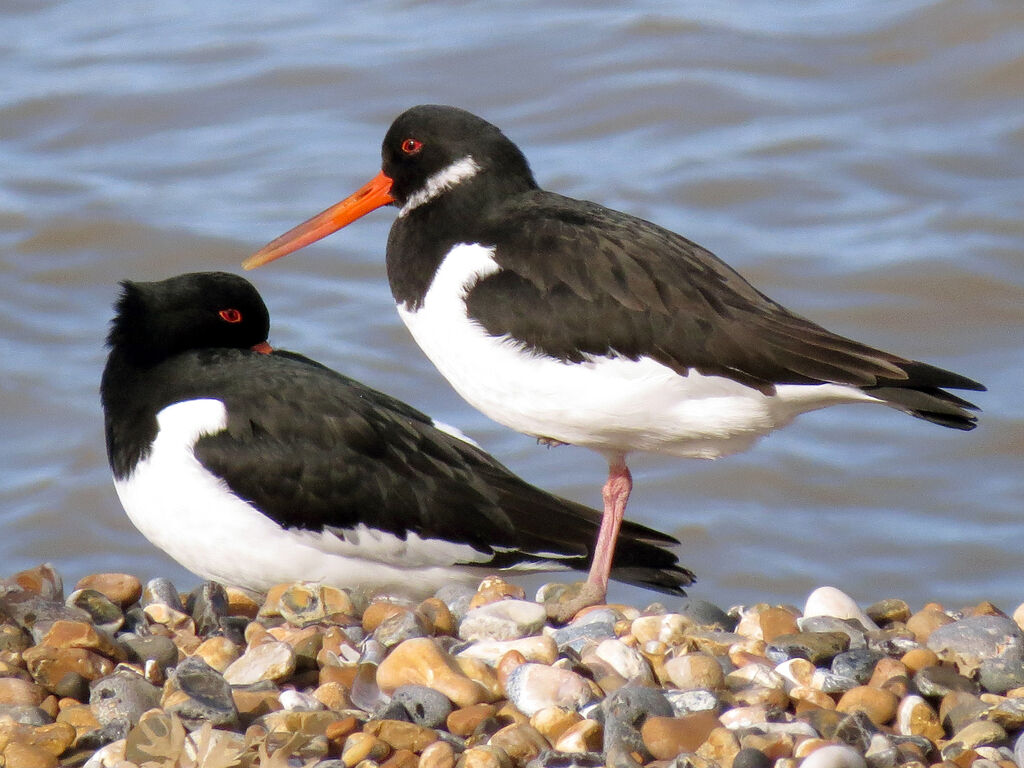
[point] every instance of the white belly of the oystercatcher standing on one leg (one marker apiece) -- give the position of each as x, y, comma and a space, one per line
614, 406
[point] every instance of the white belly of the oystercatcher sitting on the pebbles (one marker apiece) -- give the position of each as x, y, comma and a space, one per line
194, 518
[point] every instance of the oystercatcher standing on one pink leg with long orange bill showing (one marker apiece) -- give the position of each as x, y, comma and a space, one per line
582, 325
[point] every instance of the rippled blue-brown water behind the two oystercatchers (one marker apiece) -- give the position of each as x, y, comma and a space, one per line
861, 162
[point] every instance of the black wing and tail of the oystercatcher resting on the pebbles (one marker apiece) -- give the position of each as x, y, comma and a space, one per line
334, 453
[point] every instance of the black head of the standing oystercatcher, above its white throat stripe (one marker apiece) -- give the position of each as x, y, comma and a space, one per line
426, 141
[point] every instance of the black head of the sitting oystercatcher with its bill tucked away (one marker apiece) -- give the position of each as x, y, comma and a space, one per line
155, 321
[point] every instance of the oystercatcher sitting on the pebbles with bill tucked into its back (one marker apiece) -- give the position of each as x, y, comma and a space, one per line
255, 467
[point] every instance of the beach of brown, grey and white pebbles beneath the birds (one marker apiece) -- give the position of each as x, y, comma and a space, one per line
115, 673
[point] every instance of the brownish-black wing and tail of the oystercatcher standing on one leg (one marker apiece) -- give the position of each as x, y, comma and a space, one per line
581, 280
